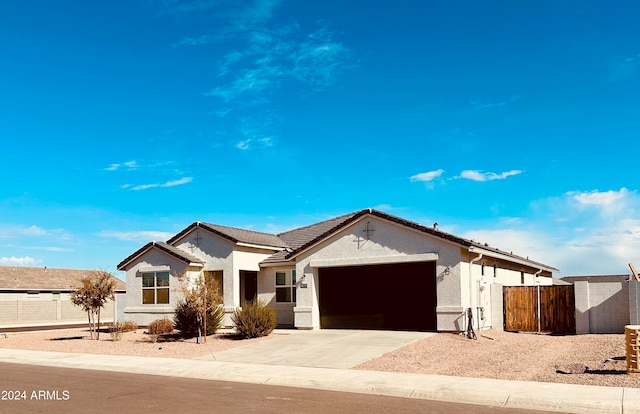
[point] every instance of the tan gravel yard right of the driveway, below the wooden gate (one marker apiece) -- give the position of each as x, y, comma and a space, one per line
516, 356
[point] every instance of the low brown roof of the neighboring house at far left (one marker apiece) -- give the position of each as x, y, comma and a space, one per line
45, 278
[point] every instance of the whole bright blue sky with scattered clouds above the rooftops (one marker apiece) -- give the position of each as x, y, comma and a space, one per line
511, 123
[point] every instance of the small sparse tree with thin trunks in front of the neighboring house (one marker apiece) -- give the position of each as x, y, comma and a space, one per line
92, 294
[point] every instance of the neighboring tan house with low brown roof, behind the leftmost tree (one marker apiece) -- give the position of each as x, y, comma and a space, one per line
41, 295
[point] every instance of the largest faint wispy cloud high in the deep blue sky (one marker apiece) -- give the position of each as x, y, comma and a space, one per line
272, 54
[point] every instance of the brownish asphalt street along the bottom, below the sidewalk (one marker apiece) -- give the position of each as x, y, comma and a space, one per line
39, 389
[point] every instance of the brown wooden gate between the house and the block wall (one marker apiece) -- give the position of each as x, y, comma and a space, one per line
539, 309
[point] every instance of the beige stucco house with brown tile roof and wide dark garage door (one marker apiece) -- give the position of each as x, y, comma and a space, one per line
366, 269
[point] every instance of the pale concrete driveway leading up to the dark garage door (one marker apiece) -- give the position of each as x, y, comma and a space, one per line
319, 348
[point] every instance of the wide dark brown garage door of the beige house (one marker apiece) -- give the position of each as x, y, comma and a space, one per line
399, 296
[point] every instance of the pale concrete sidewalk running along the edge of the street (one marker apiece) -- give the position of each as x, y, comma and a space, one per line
490, 392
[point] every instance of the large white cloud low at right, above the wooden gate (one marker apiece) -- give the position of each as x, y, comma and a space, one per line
586, 239
